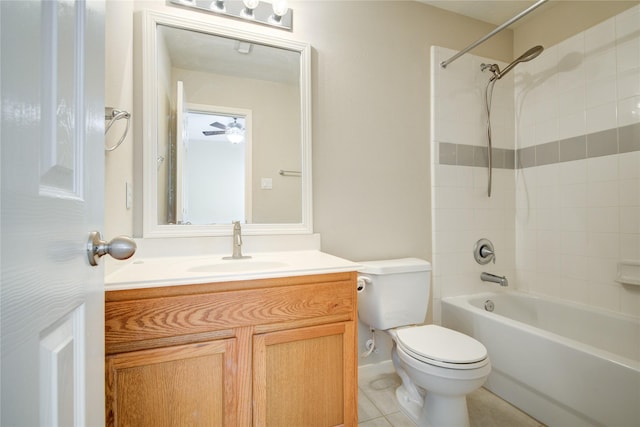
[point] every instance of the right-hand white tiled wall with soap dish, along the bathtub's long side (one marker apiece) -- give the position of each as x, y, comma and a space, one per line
578, 158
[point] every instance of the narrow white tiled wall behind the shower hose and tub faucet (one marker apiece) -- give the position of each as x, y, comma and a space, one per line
462, 212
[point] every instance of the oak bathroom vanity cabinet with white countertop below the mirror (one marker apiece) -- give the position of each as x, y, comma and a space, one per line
234, 350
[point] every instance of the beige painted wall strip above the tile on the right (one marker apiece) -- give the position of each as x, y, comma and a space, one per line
558, 20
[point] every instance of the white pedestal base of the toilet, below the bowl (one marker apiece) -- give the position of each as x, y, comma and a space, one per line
436, 411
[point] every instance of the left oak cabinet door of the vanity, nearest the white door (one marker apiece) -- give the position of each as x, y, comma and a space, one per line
186, 385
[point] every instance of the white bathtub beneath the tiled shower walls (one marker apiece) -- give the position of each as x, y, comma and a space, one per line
562, 363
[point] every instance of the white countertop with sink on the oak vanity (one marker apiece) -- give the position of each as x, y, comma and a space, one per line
182, 270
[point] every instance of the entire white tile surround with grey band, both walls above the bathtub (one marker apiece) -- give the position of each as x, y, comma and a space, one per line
567, 209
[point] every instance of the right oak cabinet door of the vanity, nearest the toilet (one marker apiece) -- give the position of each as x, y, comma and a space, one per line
305, 377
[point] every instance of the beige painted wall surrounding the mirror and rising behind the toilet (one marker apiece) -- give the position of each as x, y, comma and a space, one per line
370, 66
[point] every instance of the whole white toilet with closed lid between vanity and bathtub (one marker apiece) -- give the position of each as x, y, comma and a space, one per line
438, 366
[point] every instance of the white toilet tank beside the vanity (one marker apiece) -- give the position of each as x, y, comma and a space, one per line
395, 294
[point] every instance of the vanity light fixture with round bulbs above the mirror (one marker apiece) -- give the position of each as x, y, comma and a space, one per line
275, 14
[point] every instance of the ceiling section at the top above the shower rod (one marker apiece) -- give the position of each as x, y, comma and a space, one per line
491, 11
